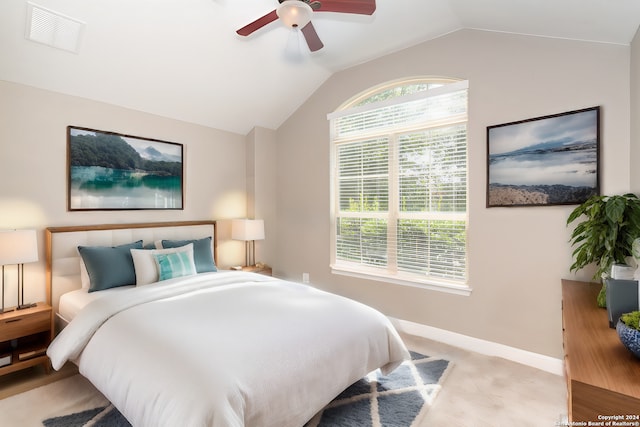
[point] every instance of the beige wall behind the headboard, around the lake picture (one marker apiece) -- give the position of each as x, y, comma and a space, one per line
33, 170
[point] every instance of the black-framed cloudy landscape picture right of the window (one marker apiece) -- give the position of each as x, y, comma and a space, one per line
550, 160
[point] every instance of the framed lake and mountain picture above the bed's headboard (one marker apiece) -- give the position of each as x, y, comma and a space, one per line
110, 171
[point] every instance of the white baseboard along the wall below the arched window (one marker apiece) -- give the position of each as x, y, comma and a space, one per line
488, 348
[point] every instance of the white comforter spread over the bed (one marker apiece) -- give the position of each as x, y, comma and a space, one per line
226, 349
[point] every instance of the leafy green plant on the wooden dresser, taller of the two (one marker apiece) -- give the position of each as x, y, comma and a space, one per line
606, 234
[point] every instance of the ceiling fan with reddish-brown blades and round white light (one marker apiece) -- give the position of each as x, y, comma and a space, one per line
297, 14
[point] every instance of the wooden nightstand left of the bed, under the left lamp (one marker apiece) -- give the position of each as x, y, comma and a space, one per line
24, 337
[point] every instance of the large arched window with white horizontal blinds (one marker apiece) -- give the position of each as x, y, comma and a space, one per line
399, 185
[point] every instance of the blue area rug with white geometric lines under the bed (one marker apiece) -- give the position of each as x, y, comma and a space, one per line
396, 400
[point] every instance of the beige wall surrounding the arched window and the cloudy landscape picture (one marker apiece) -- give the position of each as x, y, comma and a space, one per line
516, 255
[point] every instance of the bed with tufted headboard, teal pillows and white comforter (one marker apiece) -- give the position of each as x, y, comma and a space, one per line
192, 346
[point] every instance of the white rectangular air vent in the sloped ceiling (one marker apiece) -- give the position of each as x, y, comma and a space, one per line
53, 29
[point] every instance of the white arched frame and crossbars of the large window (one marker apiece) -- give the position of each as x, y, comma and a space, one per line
350, 107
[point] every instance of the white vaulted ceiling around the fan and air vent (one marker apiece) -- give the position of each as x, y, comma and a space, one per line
182, 58
